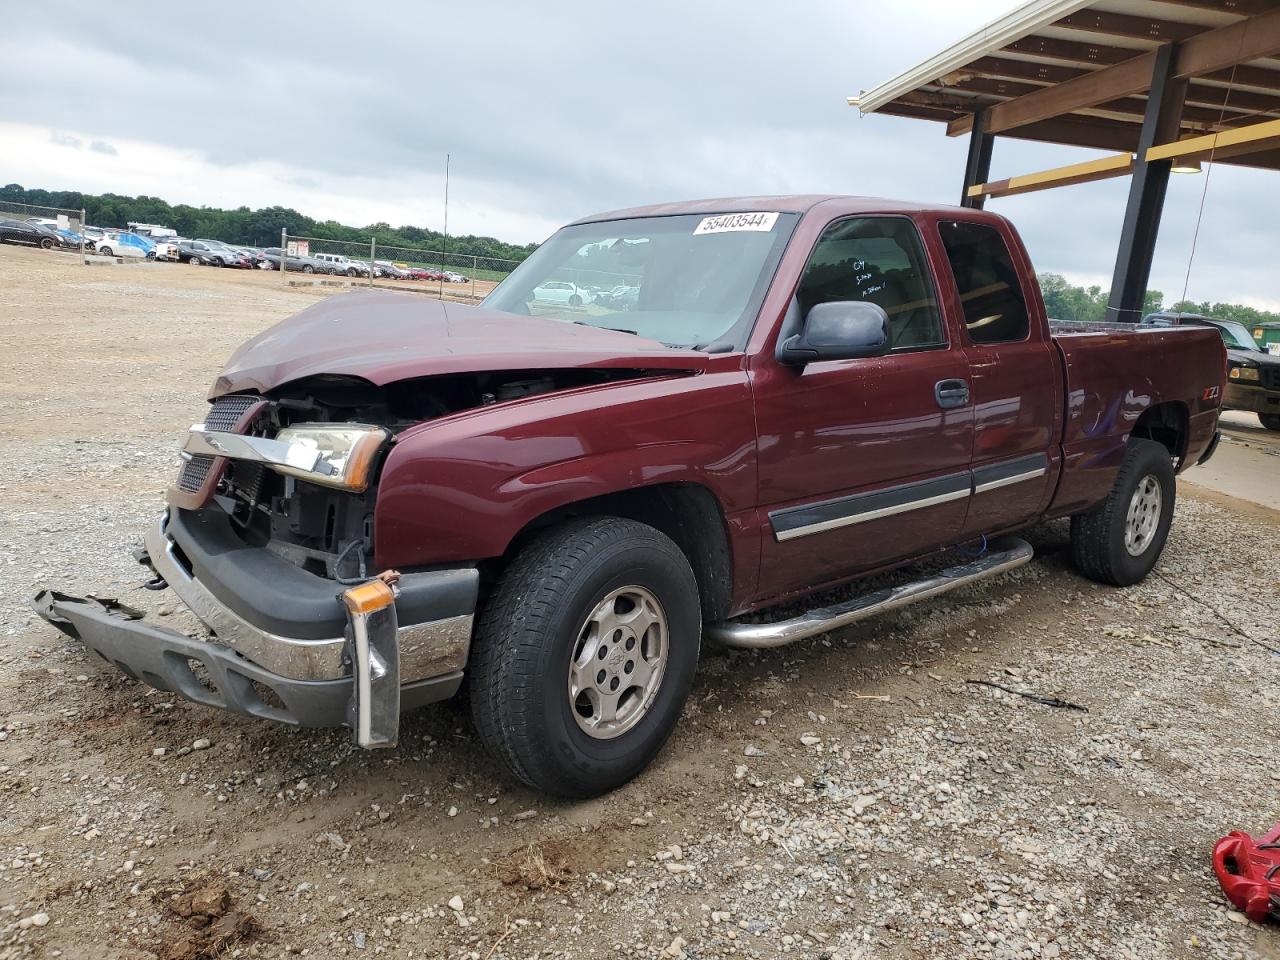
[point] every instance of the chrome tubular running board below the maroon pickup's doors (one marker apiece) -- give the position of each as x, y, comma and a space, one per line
1005, 555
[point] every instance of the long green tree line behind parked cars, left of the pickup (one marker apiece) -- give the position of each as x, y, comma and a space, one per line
258, 228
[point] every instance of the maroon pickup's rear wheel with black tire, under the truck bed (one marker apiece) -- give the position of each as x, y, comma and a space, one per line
1121, 540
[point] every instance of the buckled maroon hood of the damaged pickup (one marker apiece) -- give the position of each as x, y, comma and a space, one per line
386, 337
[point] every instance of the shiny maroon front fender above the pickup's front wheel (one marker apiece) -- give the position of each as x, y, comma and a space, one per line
460, 490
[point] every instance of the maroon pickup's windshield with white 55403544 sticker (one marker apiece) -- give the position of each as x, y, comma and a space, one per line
687, 281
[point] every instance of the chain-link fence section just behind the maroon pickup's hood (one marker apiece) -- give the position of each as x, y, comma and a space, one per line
455, 276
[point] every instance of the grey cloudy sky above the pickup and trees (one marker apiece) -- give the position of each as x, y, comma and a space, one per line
551, 111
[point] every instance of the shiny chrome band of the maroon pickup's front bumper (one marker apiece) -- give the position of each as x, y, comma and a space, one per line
427, 650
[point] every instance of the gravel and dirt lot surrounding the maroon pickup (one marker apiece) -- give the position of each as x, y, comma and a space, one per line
852, 797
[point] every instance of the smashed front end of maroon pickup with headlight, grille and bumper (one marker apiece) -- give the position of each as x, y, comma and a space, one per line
268, 541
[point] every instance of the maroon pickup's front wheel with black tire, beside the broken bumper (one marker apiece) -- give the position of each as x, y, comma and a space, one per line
541, 615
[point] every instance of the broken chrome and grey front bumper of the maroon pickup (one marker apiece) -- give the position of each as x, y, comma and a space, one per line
282, 647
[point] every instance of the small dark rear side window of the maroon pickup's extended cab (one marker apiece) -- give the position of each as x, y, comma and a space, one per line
991, 292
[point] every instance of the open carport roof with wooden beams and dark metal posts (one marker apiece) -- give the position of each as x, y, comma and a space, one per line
1162, 84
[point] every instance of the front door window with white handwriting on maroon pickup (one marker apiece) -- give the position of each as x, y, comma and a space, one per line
880, 260
